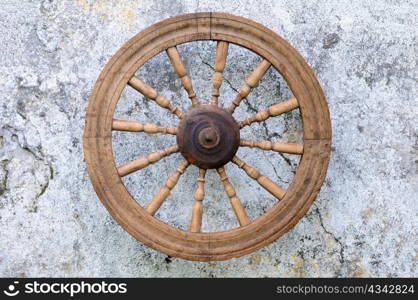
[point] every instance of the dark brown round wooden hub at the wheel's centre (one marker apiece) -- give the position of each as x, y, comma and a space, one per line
208, 136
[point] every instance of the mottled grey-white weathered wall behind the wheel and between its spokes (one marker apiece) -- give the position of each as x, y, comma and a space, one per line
364, 221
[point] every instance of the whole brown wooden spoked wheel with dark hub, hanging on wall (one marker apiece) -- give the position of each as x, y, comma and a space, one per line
207, 136
